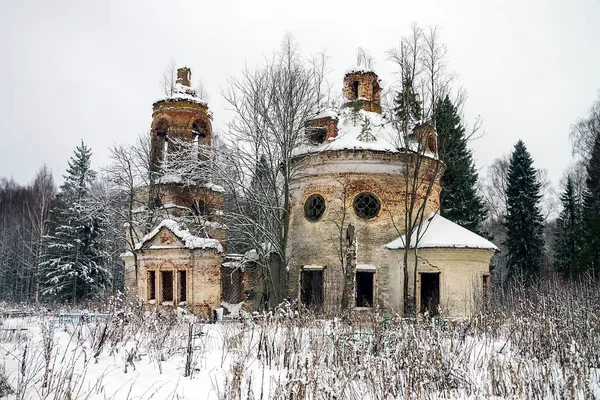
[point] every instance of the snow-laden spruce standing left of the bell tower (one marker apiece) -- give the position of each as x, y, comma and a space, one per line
74, 261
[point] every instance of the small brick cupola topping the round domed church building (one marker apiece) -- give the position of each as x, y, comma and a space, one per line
362, 86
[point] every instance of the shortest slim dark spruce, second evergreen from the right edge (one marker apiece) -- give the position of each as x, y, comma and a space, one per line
569, 235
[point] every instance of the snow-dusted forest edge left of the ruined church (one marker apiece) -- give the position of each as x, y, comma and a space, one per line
59, 245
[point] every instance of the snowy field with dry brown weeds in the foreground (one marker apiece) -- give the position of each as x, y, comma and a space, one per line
545, 345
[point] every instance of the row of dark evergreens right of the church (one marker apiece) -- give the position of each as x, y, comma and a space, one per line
573, 246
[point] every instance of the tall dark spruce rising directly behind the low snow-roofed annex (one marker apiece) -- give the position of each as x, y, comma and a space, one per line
460, 201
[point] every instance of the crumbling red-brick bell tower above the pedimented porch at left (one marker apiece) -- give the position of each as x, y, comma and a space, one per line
183, 116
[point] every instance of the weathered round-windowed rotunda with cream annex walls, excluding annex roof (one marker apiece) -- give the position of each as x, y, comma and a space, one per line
357, 170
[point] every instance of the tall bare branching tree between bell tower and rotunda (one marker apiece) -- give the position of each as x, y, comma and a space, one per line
271, 106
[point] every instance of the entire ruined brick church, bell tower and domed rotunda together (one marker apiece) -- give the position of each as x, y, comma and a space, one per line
350, 168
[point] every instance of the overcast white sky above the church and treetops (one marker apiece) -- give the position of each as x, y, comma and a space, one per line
90, 70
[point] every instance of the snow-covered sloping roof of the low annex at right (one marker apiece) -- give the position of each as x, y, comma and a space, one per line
439, 232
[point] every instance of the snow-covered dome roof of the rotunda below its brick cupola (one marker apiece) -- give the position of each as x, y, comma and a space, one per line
364, 130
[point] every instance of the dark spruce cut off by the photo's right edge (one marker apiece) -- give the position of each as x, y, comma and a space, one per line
591, 208
